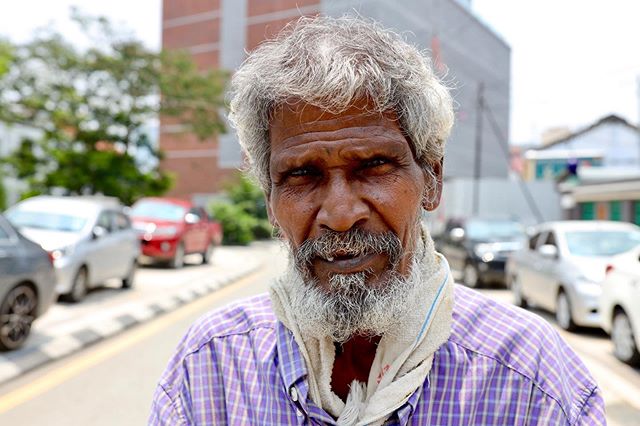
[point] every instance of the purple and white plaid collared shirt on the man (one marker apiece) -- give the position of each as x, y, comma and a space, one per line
501, 366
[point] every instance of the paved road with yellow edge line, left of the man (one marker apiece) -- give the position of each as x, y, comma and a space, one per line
112, 382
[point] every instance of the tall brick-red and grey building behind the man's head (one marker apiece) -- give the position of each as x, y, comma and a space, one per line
468, 54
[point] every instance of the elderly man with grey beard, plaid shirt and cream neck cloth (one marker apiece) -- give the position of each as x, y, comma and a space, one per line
344, 125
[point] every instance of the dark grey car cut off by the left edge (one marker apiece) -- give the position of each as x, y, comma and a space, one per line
27, 285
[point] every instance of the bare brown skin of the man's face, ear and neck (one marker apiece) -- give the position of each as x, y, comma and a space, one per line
336, 172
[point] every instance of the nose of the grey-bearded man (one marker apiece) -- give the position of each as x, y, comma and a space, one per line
342, 205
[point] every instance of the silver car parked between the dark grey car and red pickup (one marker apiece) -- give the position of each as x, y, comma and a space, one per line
90, 239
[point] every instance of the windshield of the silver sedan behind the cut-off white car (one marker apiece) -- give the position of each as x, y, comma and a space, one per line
601, 243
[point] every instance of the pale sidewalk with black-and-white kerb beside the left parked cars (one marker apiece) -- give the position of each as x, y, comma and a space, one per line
58, 334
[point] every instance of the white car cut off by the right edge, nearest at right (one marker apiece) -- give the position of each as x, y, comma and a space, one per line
620, 306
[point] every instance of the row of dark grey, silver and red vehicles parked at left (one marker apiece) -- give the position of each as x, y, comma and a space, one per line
63, 246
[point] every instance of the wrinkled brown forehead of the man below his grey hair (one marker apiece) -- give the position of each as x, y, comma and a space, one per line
297, 118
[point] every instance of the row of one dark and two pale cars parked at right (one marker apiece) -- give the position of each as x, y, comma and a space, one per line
585, 272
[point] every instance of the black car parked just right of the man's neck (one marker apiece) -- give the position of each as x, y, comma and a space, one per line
477, 249
